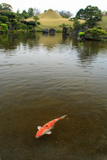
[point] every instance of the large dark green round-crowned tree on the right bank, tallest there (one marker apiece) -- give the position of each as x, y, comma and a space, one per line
91, 14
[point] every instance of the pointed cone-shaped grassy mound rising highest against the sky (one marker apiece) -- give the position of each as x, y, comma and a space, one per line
49, 14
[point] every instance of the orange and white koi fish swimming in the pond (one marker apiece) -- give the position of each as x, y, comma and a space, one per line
46, 129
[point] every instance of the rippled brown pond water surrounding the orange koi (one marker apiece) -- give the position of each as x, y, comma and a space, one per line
43, 77
